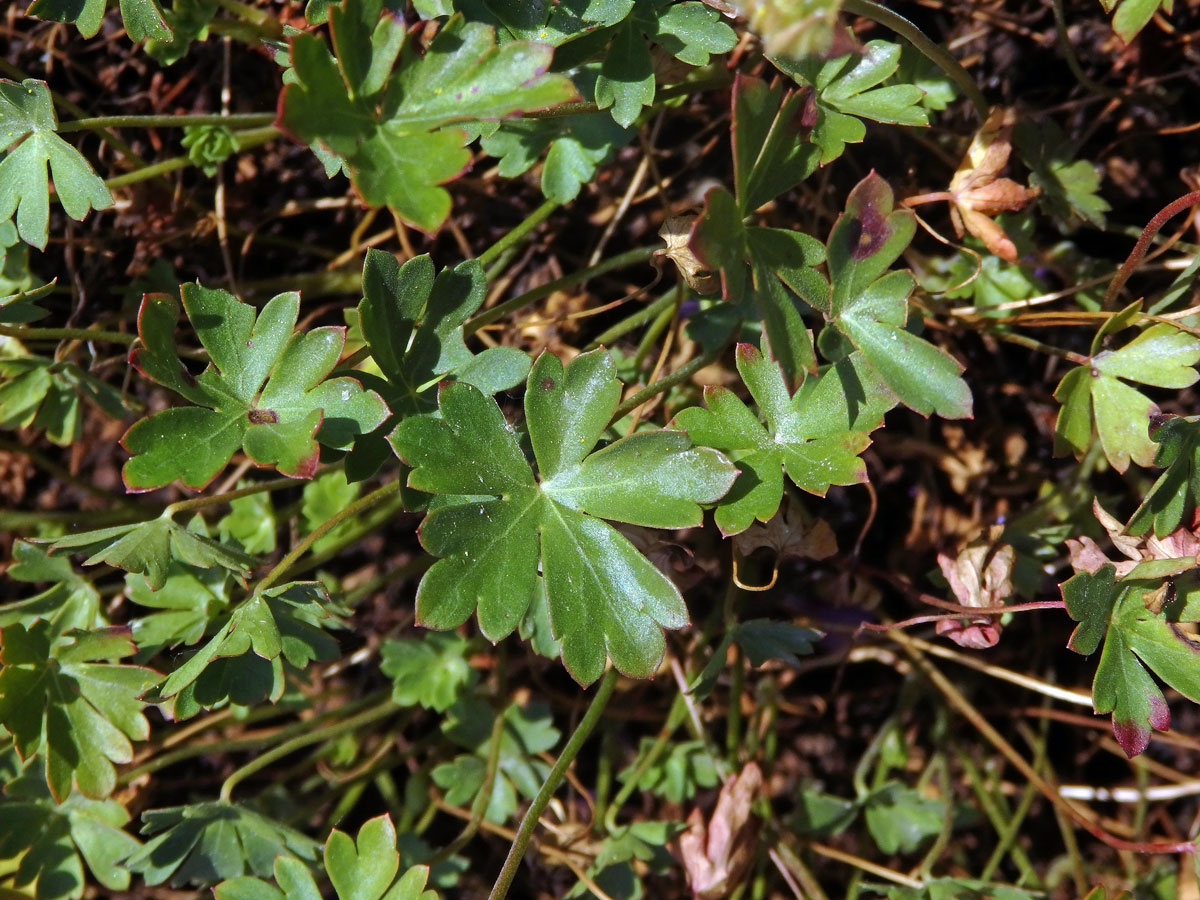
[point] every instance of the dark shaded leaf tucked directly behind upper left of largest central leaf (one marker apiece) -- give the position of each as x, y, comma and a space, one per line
412, 322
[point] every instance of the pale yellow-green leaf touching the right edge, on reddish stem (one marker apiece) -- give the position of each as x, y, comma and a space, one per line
1096, 400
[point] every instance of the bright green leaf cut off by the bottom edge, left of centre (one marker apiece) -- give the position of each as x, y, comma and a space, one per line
363, 868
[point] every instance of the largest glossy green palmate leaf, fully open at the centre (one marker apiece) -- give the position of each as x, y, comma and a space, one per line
494, 523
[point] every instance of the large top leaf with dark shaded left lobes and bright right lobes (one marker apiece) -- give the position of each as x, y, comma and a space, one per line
389, 127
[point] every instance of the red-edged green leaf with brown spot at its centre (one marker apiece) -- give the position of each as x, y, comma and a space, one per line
278, 424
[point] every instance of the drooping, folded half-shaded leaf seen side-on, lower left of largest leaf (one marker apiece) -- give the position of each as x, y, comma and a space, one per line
285, 625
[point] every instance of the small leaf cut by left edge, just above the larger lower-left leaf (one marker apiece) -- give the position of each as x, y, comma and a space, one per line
70, 603
